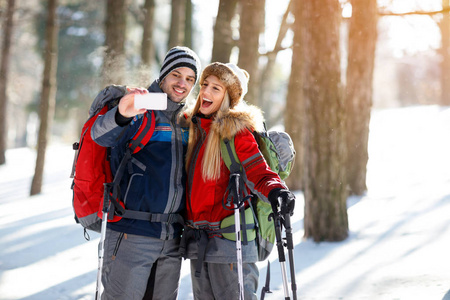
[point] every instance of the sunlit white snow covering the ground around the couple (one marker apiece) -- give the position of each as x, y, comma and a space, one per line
397, 247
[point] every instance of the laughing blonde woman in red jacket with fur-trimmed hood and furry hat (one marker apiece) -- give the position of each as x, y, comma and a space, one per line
221, 113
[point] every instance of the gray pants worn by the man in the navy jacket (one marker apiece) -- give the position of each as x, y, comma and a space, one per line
128, 261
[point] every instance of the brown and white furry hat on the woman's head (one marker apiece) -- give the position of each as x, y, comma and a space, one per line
234, 78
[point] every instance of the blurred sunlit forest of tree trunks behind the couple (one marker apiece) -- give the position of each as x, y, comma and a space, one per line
318, 68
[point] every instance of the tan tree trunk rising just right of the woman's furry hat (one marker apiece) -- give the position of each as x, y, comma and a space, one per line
251, 25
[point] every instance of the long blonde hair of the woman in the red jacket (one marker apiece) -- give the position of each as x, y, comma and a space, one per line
212, 157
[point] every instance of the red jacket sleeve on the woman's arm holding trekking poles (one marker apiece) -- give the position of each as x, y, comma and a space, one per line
257, 174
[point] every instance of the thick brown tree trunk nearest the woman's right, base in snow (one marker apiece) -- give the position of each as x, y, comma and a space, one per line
325, 178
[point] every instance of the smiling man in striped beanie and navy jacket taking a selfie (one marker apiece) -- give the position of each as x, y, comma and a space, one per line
153, 182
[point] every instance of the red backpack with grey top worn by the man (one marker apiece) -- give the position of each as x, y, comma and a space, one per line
91, 170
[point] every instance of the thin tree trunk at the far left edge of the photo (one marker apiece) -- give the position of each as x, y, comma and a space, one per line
4, 68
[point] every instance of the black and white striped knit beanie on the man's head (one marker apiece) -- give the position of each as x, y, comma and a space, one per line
179, 57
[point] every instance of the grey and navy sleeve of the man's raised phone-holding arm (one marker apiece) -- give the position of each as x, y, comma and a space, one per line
106, 132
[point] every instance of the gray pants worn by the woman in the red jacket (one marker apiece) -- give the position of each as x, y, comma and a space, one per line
219, 281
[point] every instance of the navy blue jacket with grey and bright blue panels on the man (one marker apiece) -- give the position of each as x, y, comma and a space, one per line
154, 180
